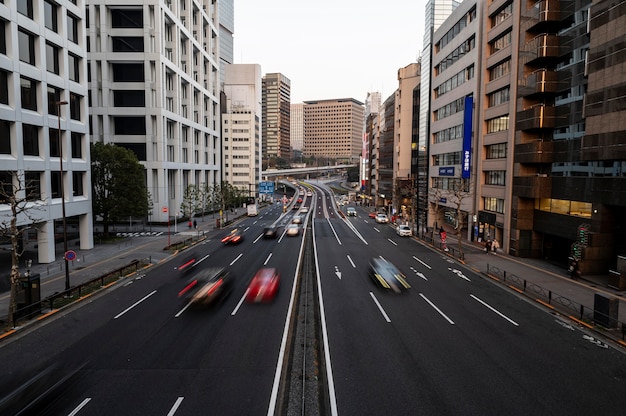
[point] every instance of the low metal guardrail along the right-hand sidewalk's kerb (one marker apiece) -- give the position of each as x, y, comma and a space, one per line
589, 315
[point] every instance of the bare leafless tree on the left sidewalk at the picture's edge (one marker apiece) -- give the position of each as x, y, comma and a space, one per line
21, 198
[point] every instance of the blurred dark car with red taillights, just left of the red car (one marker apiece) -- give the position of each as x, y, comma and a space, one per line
208, 286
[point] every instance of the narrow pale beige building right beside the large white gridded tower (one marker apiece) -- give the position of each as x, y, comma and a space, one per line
241, 122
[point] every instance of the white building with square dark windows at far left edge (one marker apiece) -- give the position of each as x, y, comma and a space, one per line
44, 141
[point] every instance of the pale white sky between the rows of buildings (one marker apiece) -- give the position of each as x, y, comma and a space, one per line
330, 48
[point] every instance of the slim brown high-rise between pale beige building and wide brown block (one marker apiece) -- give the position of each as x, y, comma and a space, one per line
276, 117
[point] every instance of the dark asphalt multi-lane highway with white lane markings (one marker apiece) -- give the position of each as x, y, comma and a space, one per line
453, 343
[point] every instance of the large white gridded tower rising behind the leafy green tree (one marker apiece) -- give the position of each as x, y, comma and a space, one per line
154, 89
